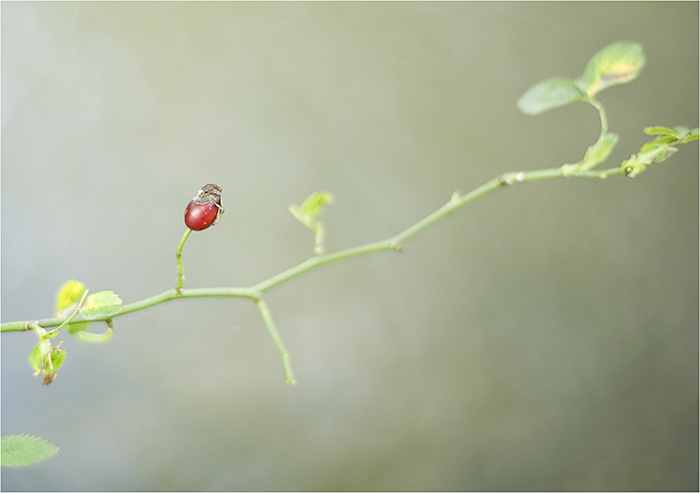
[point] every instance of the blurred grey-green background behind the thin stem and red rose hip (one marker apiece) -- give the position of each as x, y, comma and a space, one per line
545, 337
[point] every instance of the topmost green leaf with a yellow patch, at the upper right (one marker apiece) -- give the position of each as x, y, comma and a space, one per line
617, 63
